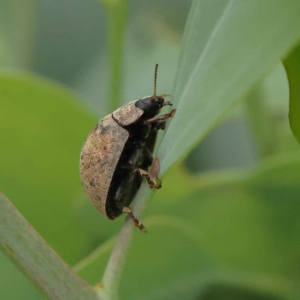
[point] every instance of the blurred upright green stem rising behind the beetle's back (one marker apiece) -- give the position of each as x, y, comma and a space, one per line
117, 15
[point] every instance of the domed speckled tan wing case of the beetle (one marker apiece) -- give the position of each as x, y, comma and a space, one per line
98, 159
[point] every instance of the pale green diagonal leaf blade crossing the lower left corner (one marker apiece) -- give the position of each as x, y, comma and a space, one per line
36, 259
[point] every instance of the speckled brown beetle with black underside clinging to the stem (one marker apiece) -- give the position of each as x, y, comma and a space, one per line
118, 153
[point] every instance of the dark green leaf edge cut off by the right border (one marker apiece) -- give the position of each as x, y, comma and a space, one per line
292, 66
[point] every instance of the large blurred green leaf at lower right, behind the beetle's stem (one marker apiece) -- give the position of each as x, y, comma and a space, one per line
234, 229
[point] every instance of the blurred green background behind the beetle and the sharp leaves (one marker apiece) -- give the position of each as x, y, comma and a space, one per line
225, 225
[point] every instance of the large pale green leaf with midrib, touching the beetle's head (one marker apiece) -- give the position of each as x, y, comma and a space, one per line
227, 46
